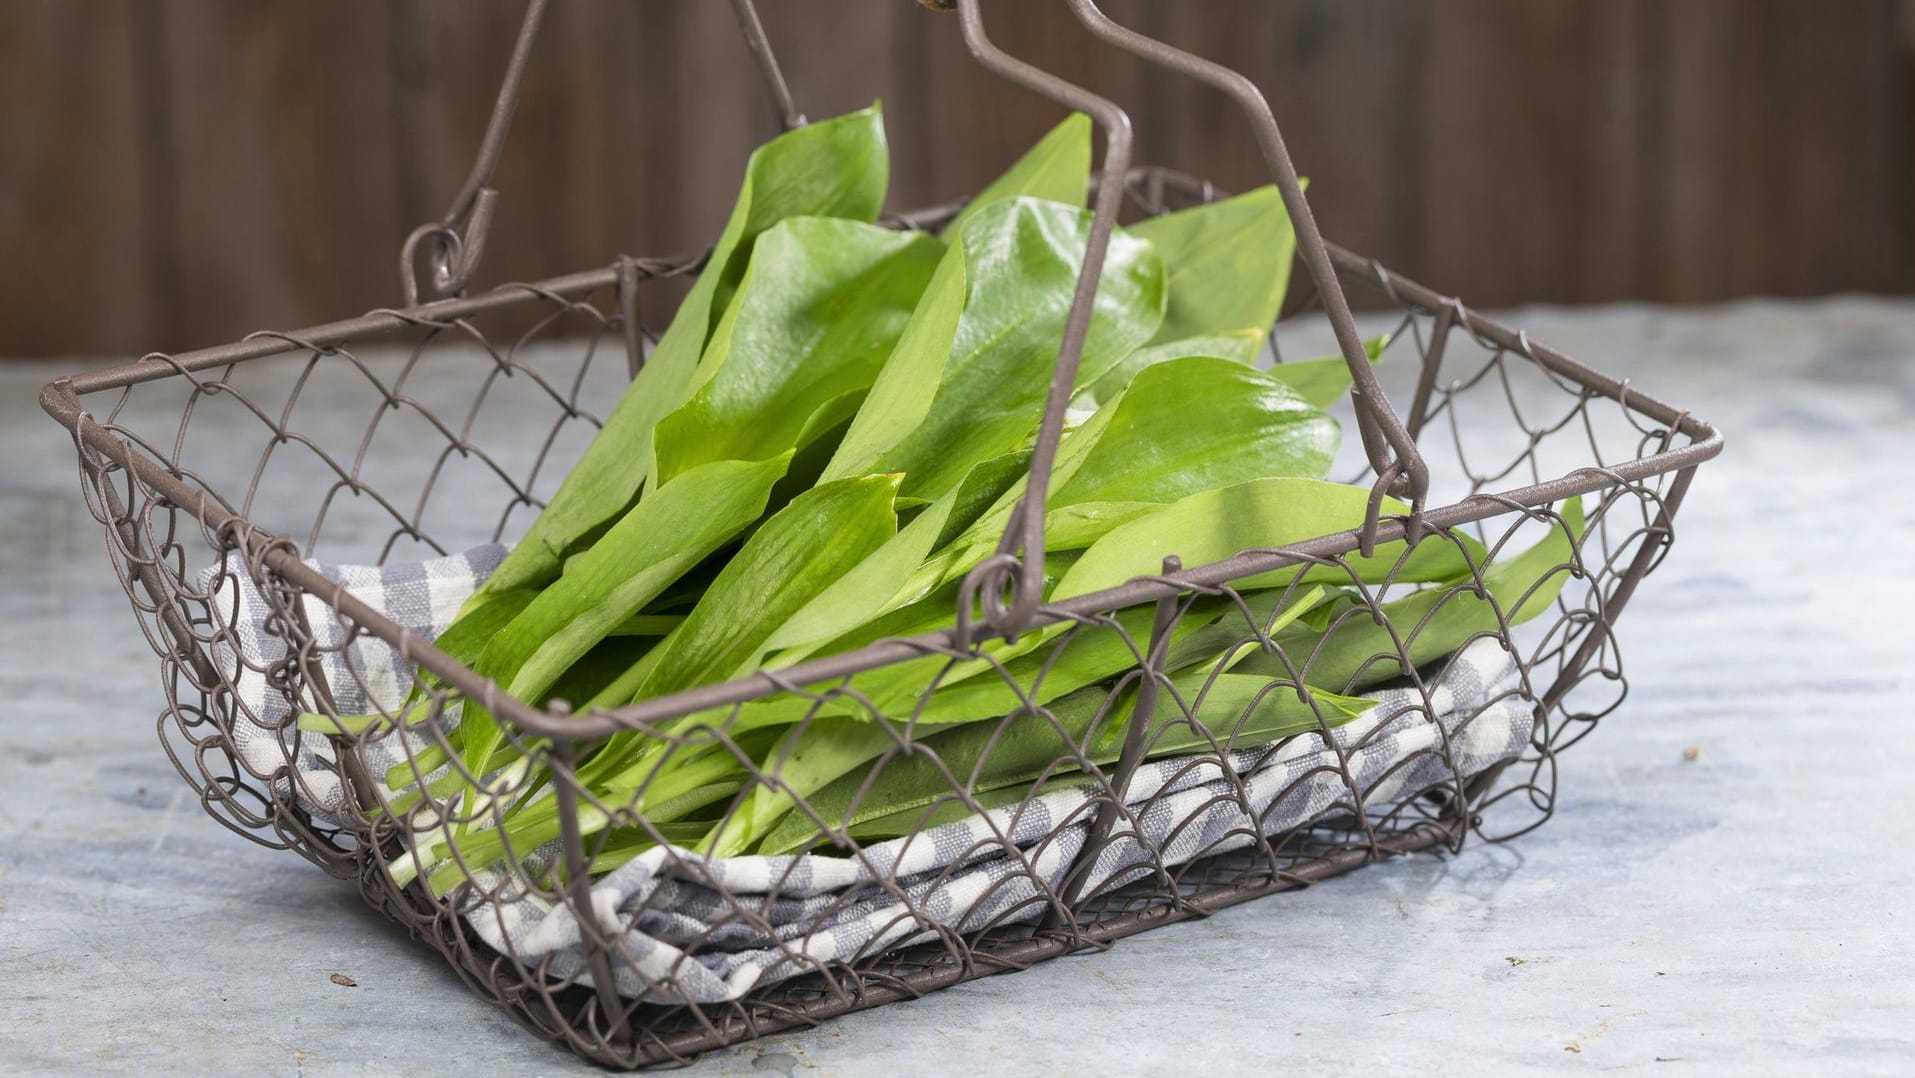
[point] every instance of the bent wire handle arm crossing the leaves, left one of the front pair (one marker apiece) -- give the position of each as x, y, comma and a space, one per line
1010, 585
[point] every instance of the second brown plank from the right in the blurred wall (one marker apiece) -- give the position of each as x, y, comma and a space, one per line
1531, 129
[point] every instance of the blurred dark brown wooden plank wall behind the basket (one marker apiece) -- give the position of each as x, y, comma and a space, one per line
179, 173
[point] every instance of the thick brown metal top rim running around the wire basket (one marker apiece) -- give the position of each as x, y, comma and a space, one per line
62, 401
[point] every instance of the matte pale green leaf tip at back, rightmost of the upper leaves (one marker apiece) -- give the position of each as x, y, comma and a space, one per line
1230, 263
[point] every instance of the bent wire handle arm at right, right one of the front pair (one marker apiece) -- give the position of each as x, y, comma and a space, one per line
1391, 449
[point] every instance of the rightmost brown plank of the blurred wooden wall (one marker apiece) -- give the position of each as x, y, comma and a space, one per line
1784, 148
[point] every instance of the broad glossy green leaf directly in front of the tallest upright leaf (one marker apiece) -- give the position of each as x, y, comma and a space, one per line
817, 315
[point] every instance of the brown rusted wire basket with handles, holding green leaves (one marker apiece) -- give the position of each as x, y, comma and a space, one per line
233, 483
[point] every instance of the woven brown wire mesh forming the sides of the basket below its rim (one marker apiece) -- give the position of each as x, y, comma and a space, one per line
445, 434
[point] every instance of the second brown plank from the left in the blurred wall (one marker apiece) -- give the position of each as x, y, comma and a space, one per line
279, 127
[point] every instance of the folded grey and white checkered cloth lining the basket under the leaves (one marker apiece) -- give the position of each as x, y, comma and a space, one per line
704, 932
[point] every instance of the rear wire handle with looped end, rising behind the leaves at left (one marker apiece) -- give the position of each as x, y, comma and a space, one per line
457, 240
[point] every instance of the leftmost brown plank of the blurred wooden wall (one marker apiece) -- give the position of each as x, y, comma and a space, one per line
76, 213
